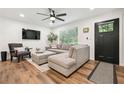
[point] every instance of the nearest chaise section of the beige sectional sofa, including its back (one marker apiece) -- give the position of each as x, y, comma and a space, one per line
66, 63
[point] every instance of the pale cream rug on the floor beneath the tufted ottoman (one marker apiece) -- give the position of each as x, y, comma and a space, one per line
42, 68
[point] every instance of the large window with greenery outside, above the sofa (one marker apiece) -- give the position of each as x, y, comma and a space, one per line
69, 36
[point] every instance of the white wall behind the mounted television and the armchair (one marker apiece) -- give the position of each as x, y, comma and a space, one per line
11, 32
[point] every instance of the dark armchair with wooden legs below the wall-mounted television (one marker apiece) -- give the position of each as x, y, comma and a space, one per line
15, 53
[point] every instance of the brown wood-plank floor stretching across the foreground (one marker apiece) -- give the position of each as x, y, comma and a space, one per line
24, 72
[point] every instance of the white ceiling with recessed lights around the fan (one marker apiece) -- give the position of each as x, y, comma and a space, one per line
73, 14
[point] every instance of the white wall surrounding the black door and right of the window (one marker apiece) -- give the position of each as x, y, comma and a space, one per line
89, 22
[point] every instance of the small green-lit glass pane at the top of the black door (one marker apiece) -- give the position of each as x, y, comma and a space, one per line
106, 27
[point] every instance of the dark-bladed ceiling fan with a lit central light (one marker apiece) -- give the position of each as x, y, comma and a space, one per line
52, 16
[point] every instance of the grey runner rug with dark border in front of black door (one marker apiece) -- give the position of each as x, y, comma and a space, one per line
104, 73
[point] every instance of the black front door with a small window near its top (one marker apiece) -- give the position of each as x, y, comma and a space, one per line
107, 41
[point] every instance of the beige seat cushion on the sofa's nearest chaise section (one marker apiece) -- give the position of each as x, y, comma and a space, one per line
62, 60
